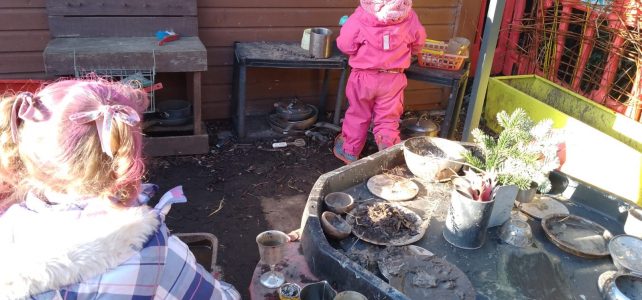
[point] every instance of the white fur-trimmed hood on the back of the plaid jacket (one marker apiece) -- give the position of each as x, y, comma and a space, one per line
46, 247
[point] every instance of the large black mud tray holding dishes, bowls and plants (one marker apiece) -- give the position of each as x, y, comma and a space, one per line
497, 271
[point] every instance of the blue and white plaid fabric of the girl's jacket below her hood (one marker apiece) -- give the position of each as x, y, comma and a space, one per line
164, 269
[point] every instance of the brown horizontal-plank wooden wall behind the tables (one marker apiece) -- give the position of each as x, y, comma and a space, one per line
24, 34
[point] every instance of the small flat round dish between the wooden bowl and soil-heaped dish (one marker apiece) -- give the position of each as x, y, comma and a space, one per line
392, 187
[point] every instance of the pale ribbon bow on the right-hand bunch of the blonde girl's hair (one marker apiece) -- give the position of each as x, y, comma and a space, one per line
103, 117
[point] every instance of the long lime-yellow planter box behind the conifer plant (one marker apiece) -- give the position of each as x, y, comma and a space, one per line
603, 148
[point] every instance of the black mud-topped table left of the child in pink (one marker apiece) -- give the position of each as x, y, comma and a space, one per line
283, 55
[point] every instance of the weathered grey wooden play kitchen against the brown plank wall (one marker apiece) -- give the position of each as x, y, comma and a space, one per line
117, 39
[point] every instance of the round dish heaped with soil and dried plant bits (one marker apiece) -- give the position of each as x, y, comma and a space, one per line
397, 225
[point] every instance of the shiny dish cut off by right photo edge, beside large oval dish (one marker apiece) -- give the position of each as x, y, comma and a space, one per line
626, 252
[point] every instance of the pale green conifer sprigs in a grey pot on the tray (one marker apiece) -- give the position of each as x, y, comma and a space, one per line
522, 156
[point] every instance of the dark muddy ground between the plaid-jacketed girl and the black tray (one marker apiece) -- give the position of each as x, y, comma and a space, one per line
239, 190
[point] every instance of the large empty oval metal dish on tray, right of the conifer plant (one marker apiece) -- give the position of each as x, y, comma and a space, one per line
577, 235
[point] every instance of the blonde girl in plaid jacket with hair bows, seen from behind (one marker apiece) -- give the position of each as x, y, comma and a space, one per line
71, 223
